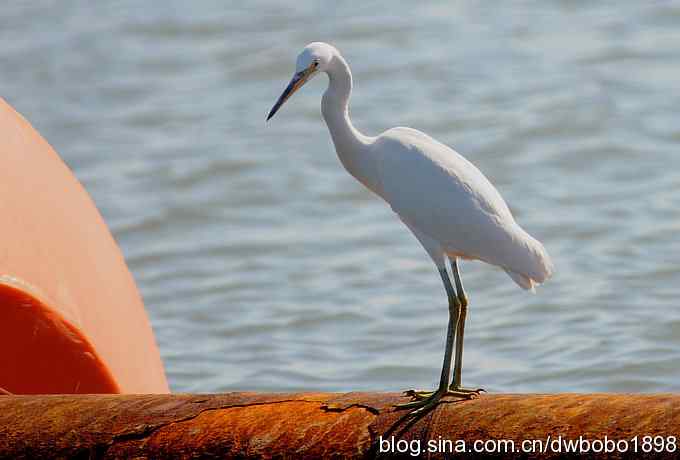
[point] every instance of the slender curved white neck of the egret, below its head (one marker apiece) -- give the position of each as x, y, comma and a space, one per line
352, 147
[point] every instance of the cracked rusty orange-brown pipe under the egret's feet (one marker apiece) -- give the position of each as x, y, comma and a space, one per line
313, 425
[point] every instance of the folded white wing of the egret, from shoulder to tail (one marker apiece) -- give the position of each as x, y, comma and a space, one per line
441, 194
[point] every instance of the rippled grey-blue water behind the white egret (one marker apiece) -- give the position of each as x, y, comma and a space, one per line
265, 266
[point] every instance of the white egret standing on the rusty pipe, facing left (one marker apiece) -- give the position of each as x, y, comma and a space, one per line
448, 204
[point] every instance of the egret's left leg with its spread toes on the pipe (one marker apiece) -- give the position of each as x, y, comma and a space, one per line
424, 400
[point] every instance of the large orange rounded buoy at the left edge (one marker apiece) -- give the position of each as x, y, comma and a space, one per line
71, 317
